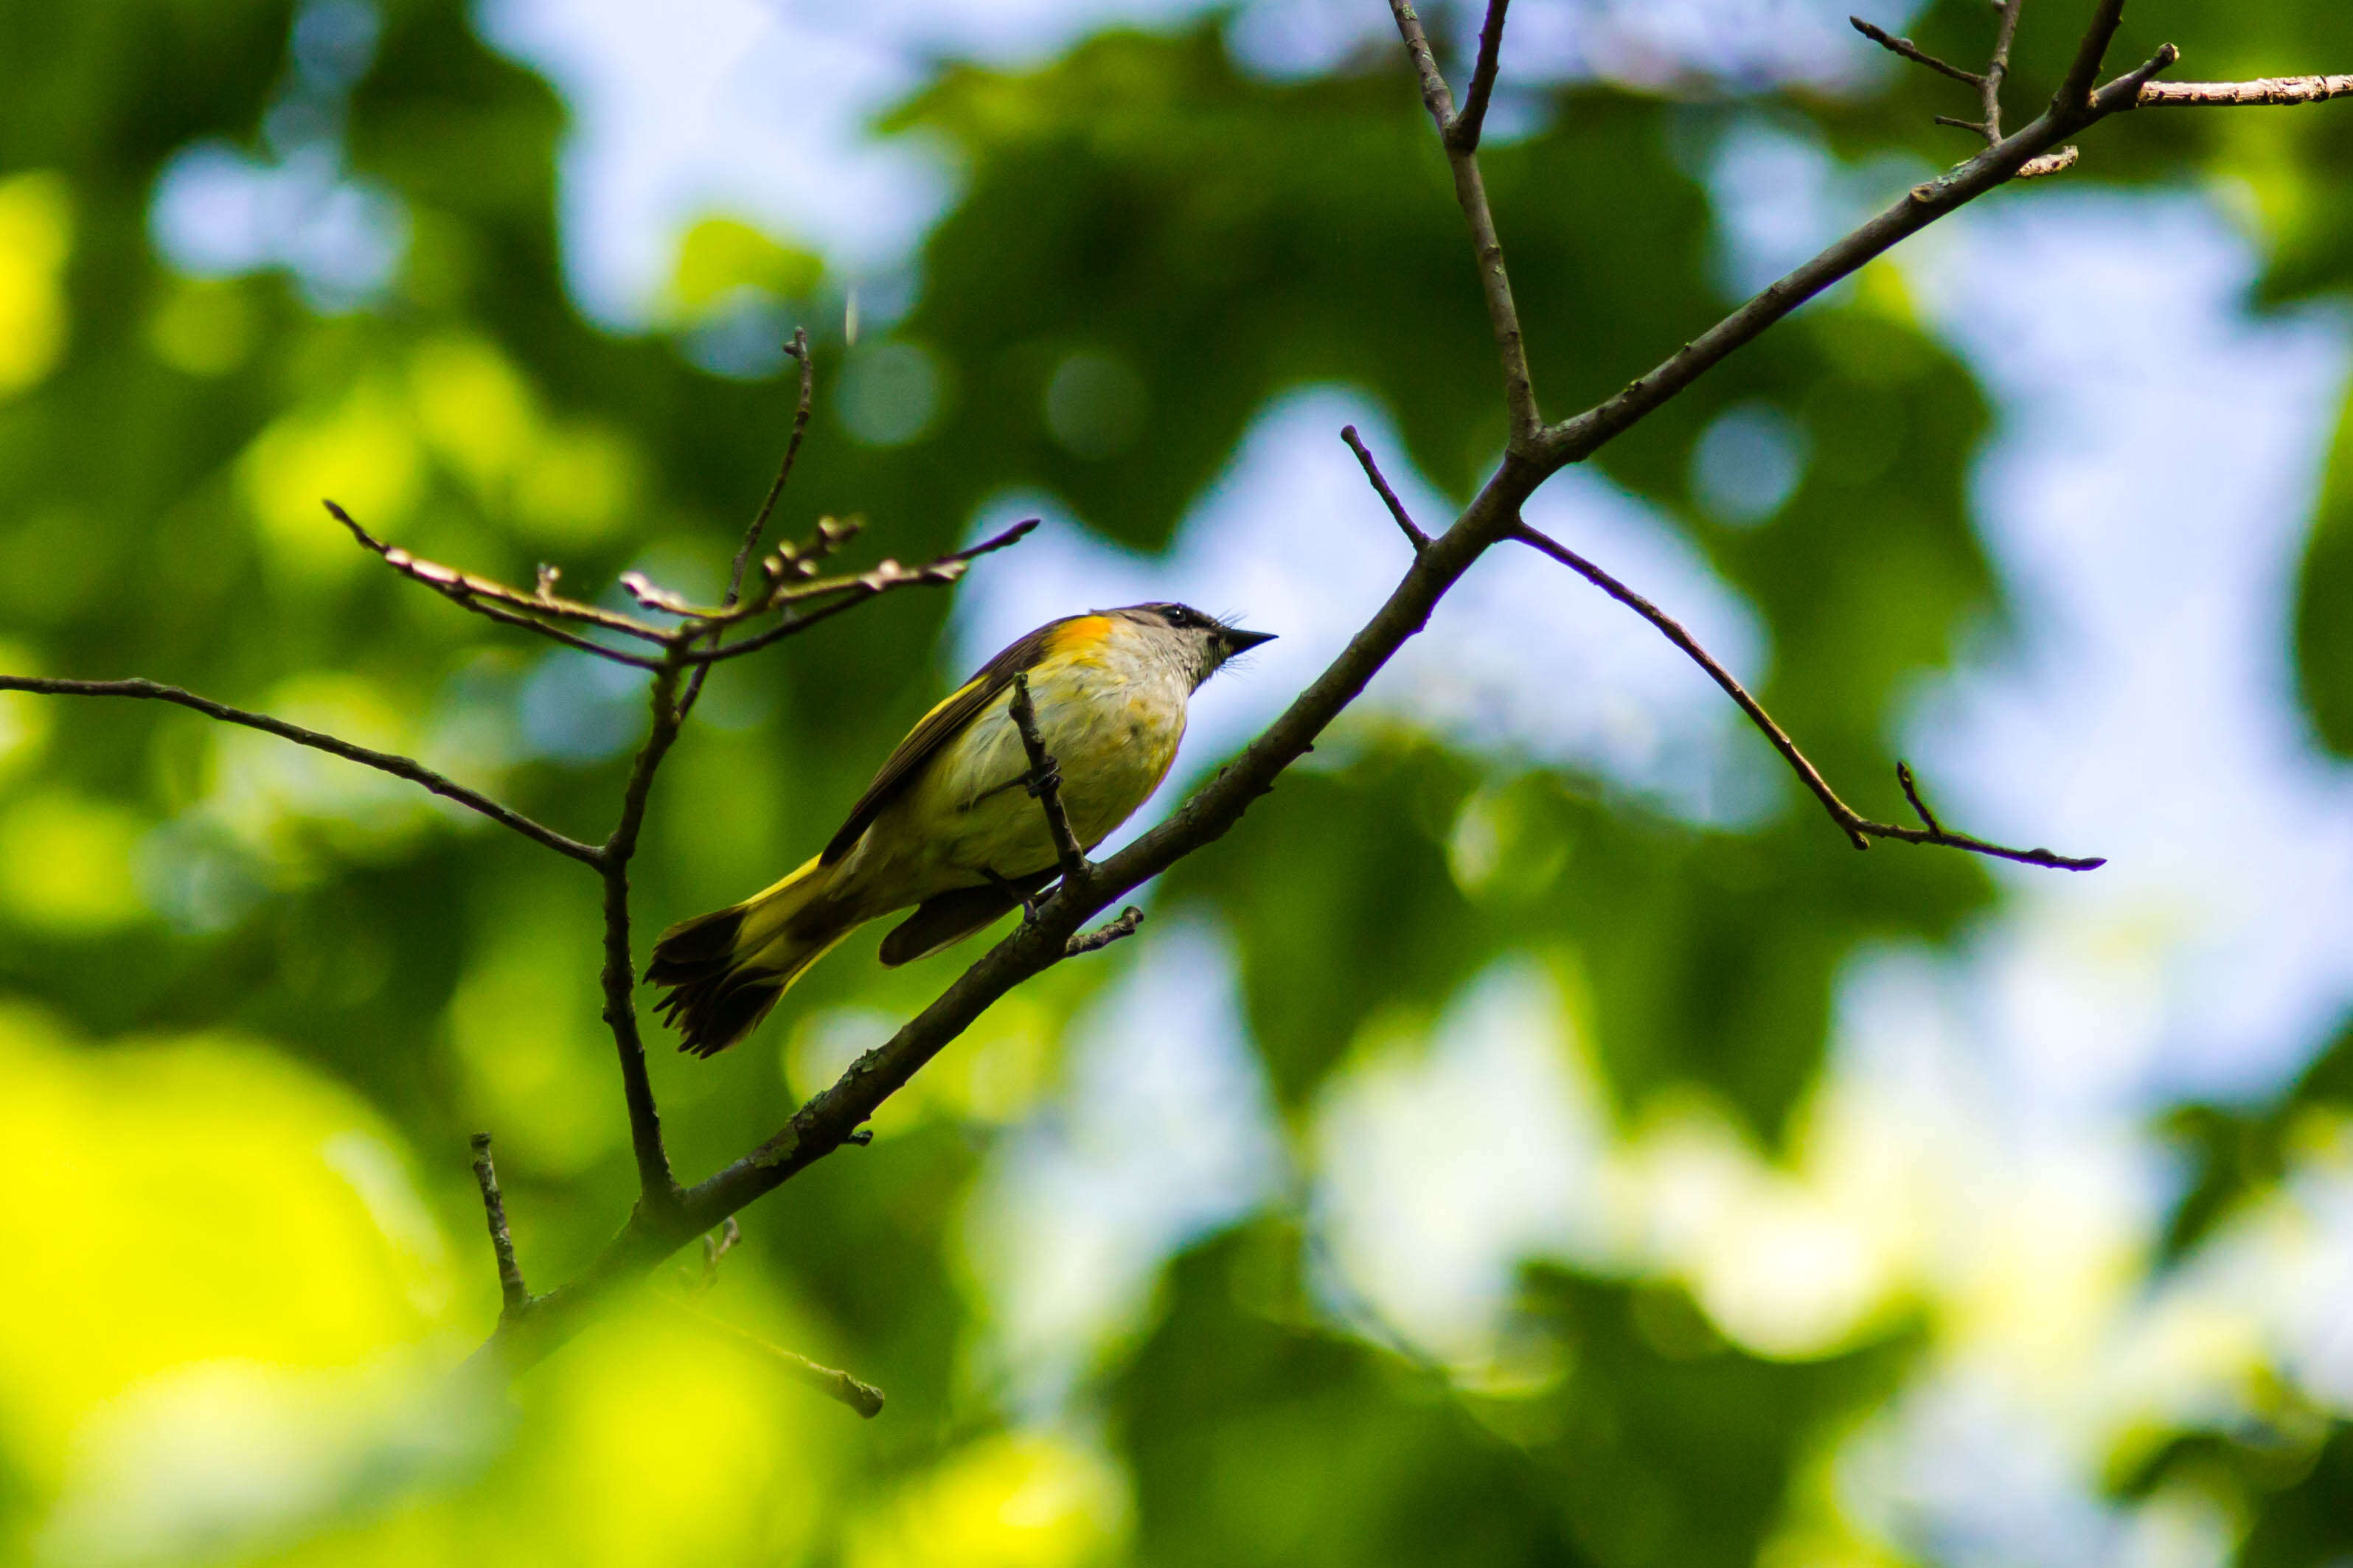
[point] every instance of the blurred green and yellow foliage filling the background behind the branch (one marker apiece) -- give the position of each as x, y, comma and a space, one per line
253, 1005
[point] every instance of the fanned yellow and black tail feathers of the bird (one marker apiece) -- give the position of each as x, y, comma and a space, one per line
726, 970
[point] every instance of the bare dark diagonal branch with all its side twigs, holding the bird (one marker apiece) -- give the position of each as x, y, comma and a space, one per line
794, 591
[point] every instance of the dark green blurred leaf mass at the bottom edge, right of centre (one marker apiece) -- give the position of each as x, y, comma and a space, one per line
1260, 1440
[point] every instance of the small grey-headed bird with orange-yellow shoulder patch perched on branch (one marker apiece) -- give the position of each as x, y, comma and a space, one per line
949, 826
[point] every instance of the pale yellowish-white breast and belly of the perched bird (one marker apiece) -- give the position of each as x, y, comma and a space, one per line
1114, 735
